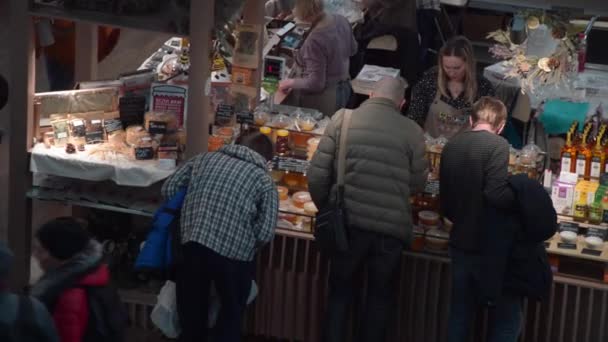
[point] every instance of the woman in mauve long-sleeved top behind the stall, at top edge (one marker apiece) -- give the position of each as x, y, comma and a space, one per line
323, 59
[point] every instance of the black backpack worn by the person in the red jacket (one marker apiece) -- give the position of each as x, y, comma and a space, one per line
108, 318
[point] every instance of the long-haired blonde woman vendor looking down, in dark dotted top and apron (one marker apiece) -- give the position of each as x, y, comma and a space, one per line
443, 98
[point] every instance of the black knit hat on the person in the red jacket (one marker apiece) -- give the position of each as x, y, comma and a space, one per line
63, 237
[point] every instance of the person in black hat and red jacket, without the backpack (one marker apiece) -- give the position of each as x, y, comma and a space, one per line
72, 261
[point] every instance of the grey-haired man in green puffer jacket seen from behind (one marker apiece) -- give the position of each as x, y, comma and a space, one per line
385, 163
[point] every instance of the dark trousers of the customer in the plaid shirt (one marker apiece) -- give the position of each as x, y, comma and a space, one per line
232, 278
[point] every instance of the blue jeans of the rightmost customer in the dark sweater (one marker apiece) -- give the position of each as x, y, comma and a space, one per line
504, 318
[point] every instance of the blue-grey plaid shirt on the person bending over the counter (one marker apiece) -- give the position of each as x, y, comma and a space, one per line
232, 203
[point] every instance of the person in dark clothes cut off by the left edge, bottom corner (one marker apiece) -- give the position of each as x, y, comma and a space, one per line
22, 319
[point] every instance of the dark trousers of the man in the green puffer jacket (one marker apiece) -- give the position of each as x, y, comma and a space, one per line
382, 255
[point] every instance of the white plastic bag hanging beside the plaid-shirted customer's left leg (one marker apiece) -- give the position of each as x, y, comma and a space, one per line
164, 315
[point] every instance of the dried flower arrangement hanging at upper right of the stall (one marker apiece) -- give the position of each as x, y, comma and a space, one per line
533, 71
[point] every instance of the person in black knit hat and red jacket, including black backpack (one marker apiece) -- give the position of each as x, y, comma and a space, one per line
75, 286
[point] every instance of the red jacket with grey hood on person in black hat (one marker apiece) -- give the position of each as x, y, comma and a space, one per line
63, 291
